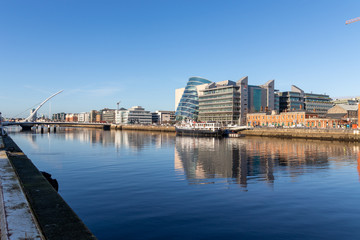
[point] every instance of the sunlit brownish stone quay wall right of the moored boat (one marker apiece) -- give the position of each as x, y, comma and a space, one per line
349, 135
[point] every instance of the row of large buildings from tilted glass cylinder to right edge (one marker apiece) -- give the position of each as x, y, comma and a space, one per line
237, 102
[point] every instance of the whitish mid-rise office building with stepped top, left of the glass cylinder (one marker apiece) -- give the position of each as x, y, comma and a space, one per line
134, 115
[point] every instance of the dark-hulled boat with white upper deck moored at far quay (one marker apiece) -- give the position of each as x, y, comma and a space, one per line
200, 129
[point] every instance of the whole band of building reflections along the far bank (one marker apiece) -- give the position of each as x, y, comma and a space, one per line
232, 160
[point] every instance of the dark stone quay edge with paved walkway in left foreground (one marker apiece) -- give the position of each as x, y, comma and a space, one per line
30, 208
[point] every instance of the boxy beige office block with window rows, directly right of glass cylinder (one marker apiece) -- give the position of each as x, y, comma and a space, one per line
224, 102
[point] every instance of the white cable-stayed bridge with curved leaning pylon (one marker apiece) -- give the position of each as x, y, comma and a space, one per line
30, 121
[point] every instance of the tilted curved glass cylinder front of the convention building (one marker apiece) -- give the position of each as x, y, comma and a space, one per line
188, 107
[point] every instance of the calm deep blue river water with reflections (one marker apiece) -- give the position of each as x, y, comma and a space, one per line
140, 185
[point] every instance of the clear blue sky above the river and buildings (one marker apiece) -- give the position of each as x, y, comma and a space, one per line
139, 52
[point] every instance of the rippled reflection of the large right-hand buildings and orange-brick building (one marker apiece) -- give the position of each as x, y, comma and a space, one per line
242, 161
